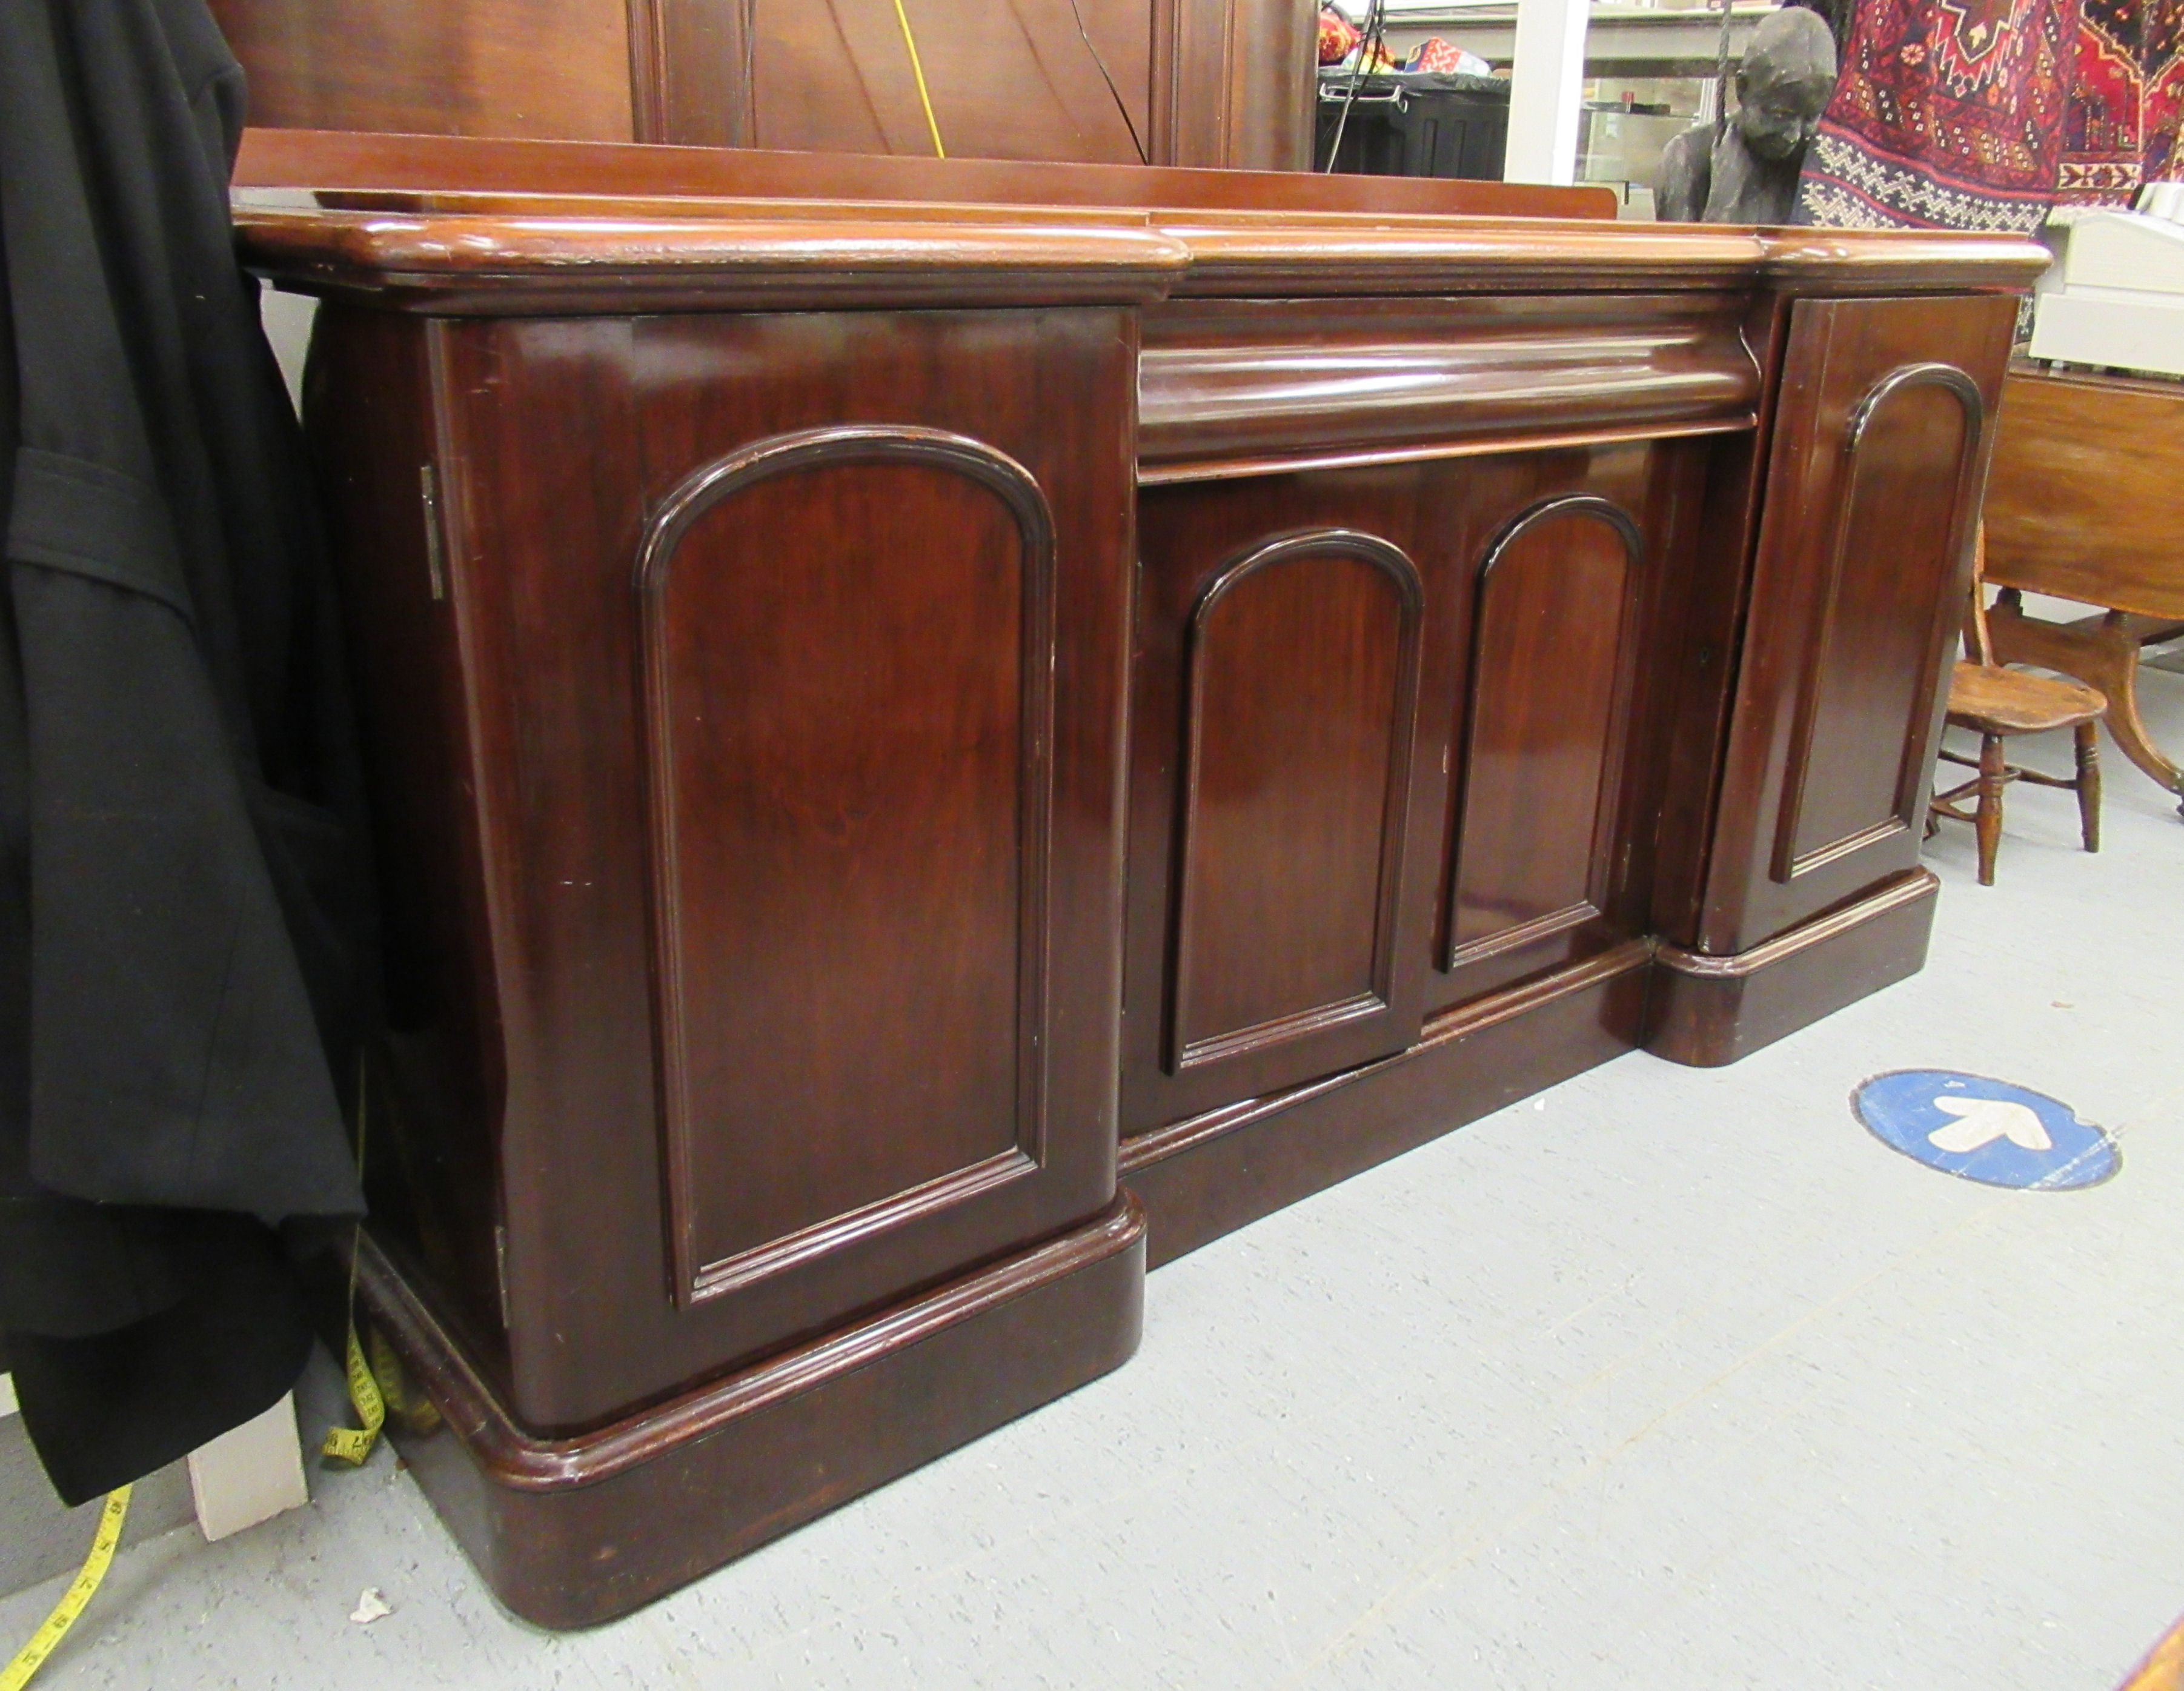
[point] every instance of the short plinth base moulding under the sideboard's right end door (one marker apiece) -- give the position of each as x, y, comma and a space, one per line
1716, 1010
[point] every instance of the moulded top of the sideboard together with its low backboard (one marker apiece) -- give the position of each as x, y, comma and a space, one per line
619, 230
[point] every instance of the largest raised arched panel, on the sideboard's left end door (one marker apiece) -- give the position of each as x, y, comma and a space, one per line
827, 829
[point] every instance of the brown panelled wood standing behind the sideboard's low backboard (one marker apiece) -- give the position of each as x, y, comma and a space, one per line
1194, 82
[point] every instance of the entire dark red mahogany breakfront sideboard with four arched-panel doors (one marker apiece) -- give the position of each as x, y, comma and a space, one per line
894, 711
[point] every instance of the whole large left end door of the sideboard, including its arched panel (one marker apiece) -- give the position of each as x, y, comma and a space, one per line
814, 855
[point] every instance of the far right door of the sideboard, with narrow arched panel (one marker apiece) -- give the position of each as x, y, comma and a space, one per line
1879, 451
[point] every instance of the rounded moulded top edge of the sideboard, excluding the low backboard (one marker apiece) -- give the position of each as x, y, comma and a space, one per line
752, 257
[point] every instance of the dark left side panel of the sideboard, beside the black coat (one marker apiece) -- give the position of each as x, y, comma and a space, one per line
436, 1085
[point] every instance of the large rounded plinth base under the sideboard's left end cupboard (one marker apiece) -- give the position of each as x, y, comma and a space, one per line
580, 1530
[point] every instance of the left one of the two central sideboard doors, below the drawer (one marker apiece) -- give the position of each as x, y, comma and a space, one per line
1274, 799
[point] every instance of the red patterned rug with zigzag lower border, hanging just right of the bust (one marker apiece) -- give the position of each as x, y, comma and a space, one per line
1949, 117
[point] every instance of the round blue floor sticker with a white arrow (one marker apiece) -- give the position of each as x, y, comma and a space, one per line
1986, 1131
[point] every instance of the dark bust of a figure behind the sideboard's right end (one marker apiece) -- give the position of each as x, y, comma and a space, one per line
1750, 172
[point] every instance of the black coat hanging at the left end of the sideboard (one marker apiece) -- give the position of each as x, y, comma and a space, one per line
182, 899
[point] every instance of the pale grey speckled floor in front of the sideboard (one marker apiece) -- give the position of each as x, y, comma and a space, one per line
1661, 1380
